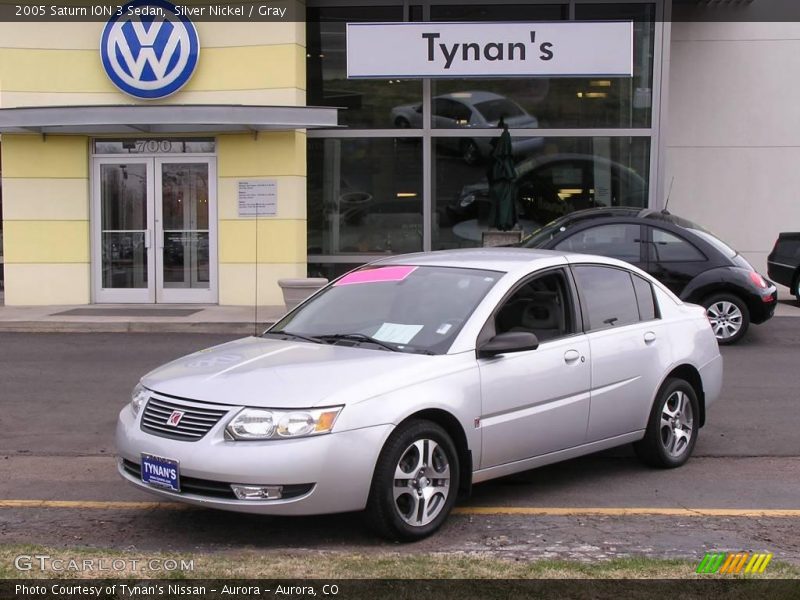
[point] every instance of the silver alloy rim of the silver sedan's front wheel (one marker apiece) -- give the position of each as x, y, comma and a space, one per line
421, 482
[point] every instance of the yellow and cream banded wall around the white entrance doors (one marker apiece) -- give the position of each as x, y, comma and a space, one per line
46, 185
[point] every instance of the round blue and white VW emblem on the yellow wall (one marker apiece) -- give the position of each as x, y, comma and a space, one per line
149, 51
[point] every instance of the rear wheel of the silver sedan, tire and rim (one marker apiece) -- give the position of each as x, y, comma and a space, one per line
660, 447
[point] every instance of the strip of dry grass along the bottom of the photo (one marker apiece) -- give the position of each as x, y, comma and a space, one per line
254, 564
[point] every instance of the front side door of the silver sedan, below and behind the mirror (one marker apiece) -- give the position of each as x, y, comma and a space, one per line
536, 401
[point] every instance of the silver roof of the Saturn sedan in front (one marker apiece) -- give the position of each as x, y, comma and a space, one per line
491, 259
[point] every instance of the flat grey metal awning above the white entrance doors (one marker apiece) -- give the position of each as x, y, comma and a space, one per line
195, 118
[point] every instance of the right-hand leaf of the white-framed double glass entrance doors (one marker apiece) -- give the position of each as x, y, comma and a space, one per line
185, 207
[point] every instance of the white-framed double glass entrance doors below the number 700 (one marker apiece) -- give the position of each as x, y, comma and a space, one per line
155, 230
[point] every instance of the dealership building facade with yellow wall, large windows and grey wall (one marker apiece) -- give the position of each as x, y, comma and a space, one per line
269, 162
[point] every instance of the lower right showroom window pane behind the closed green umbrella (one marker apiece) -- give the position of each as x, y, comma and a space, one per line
561, 175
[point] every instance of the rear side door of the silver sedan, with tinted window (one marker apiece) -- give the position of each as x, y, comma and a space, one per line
628, 345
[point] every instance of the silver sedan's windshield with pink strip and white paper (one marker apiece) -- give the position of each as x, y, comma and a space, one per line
403, 308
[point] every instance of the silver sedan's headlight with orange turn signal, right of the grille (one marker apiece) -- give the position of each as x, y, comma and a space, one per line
265, 424
